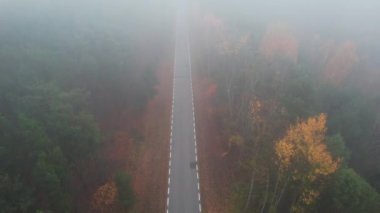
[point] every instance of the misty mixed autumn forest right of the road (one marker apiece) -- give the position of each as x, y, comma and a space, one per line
293, 93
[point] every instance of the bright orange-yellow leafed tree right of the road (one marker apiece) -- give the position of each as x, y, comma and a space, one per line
304, 161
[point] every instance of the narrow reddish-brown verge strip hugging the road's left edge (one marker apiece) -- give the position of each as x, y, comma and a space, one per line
150, 177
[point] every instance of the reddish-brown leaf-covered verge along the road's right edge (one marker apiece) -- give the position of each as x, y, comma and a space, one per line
214, 179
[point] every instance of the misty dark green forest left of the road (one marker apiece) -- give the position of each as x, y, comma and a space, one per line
66, 69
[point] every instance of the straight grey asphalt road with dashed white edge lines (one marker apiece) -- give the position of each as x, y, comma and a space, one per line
183, 182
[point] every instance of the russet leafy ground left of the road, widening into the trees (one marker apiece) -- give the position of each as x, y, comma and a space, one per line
139, 144
